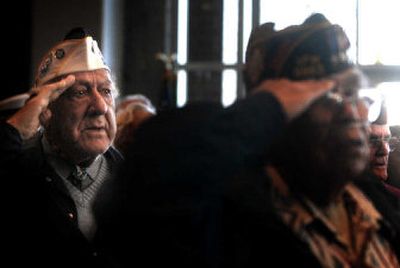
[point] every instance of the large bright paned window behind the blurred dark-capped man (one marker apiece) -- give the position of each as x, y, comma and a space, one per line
369, 24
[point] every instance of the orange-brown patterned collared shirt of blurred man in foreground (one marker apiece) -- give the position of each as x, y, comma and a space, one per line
345, 235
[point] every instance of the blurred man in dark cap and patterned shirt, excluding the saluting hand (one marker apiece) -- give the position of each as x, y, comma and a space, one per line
310, 204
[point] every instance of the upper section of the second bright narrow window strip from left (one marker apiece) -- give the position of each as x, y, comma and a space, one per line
230, 31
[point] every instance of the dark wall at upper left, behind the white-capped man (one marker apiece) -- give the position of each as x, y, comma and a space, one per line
30, 28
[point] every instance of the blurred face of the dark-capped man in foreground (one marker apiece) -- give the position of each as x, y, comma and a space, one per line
342, 136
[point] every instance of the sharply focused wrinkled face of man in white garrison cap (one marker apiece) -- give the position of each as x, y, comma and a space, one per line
82, 125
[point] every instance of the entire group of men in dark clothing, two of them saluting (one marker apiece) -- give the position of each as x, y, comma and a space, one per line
295, 169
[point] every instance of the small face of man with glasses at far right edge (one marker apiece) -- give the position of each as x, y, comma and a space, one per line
379, 150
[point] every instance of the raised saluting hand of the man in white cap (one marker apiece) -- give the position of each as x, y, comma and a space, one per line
28, 119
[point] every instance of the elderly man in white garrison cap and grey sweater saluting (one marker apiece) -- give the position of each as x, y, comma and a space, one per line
53, 175
